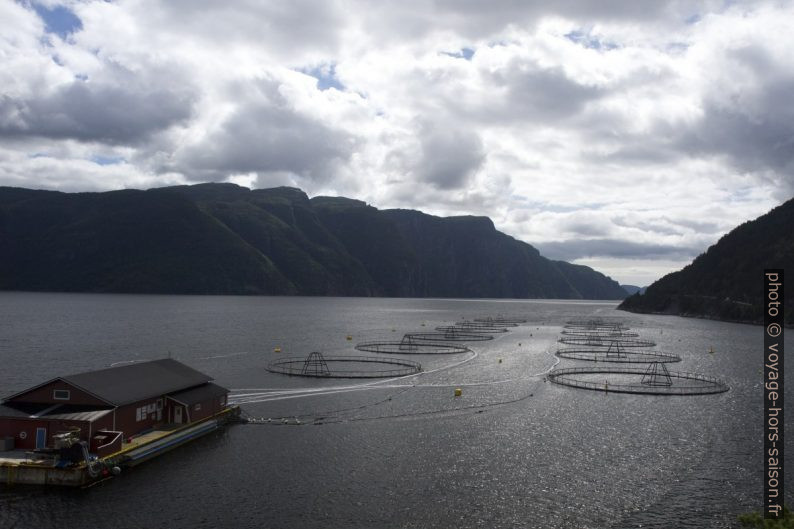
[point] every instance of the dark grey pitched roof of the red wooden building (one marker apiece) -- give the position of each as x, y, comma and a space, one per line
134, 382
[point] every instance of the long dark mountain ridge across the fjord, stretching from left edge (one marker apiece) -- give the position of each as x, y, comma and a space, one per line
226, 239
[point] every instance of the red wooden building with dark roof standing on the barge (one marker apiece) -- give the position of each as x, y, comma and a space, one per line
129, 399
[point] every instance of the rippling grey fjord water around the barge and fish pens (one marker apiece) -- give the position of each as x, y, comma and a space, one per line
512, 451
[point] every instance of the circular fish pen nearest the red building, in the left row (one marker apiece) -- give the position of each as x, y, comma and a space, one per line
319, 366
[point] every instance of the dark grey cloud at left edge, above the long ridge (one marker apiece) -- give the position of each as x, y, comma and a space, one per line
94, 112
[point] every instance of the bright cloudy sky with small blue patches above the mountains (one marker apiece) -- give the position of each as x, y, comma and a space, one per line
621, 134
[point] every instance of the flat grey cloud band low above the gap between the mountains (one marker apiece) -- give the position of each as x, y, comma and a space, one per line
576, 249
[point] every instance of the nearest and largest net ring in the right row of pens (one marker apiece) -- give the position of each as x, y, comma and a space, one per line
654, 379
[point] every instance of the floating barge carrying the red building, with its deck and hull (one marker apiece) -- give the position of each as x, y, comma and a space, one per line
82, 429
